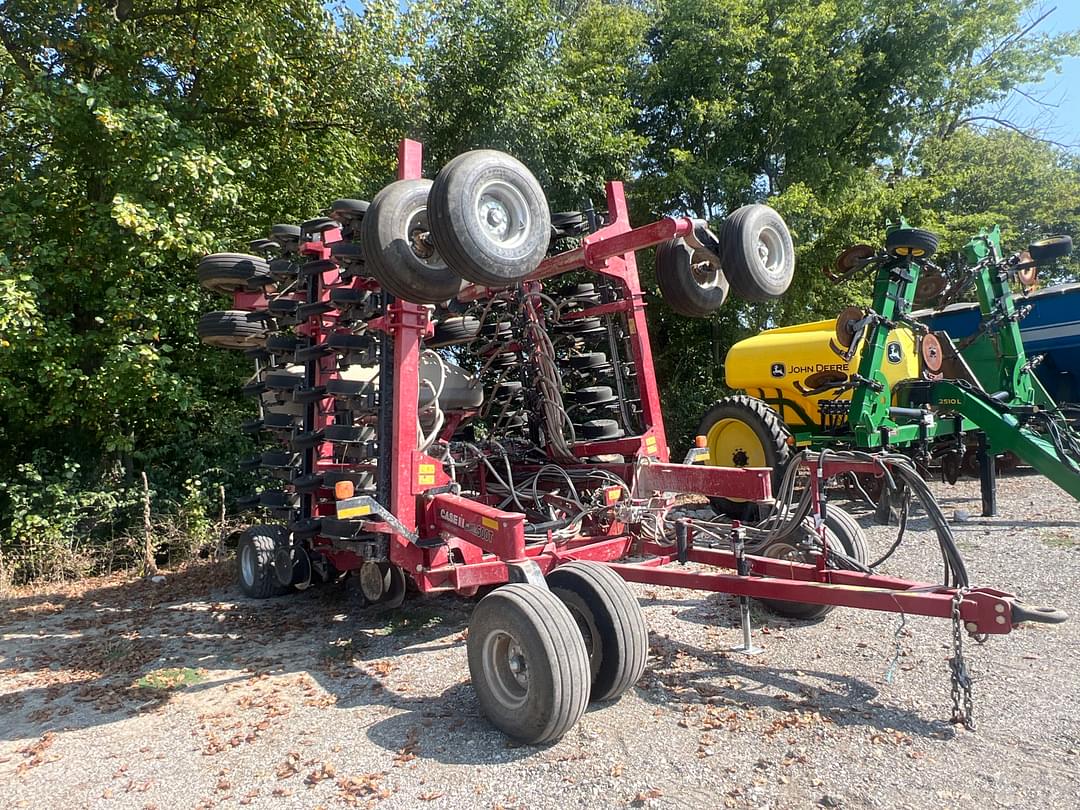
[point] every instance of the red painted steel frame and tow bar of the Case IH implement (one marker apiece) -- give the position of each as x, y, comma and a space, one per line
480, 545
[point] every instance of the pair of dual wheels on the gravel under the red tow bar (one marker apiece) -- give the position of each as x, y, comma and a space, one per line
538, 656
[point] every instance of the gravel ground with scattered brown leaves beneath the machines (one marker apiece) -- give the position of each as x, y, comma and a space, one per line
300, 704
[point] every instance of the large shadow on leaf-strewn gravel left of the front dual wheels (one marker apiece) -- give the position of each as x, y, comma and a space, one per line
73, 658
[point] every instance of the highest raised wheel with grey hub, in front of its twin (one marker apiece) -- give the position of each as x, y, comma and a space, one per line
490, 218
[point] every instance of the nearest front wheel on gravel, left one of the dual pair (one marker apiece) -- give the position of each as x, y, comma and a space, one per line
529, 627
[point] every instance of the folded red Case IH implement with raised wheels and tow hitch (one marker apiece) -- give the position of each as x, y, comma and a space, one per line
443, 417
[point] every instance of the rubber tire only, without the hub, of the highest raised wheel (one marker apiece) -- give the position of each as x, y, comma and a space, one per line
457, 229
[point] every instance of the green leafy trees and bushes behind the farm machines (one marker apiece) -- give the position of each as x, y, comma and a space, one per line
136, 138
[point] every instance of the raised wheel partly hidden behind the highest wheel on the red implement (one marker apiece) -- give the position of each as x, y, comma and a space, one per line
393, 252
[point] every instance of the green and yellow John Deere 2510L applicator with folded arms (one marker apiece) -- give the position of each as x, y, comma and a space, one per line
879, 380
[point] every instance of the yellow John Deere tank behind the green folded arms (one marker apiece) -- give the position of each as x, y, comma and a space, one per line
782, 366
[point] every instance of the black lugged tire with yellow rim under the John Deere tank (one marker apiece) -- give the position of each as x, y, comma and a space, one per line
744, 431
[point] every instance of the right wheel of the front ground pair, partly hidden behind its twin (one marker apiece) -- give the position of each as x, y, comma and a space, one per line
612, 624
